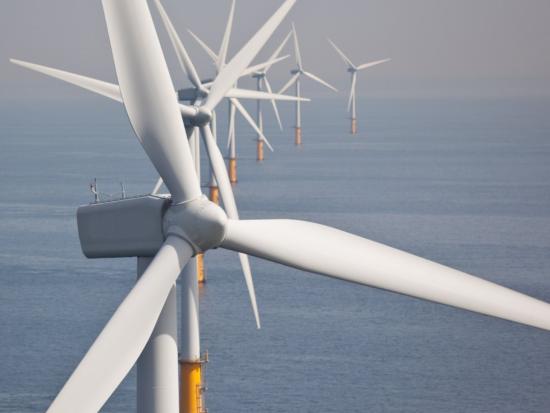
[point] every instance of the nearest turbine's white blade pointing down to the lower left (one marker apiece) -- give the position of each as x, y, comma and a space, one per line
119, 345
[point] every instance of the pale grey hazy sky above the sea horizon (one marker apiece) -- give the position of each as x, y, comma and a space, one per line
439, 47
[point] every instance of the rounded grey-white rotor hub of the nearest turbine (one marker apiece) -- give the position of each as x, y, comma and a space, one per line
199, 222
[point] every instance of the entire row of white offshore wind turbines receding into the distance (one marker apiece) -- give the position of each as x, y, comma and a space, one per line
170, 229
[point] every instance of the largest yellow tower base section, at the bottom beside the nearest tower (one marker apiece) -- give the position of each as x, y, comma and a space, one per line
191, 397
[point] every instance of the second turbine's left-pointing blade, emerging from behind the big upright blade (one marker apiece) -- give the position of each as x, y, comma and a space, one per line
109, 90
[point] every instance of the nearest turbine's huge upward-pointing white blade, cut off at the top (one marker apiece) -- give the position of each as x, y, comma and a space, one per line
153, 111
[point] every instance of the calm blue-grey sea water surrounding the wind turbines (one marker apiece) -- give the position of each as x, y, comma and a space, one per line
462, 182
